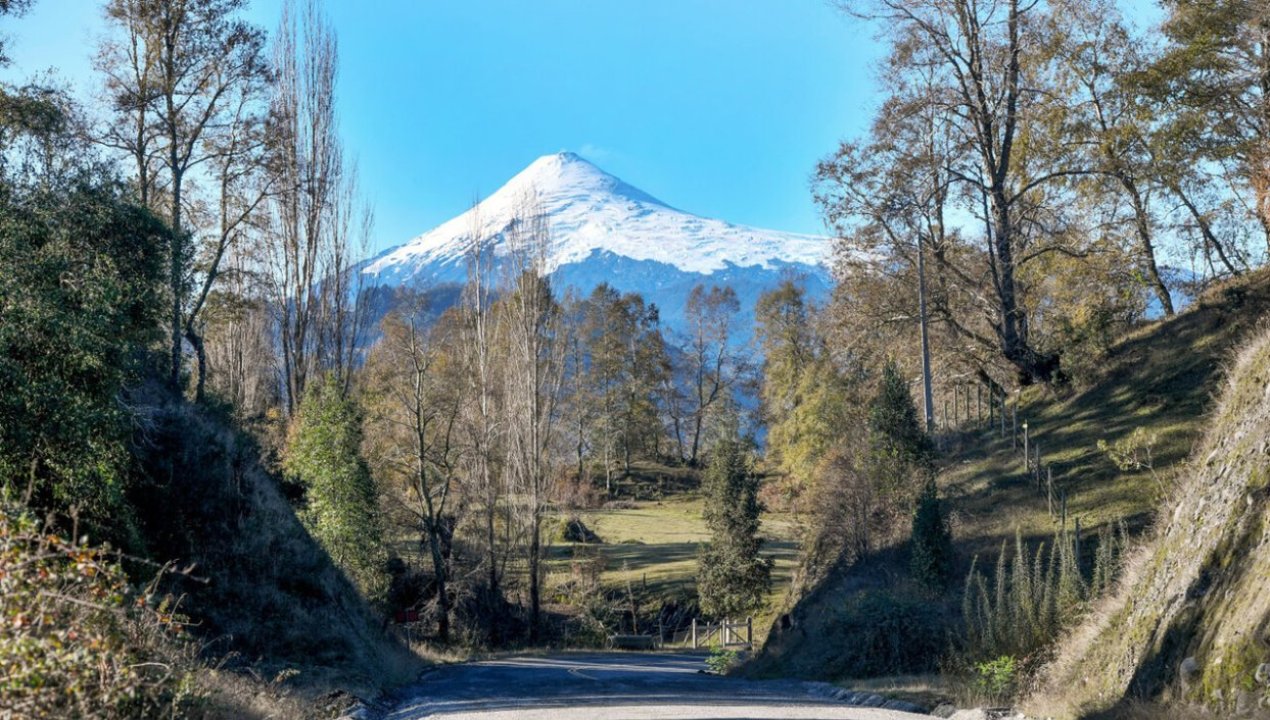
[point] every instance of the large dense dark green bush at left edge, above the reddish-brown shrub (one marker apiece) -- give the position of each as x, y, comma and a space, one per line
81, 283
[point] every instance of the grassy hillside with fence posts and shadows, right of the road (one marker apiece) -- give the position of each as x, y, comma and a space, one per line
1160, 382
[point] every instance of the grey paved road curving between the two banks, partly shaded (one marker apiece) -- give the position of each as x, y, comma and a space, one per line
610, 686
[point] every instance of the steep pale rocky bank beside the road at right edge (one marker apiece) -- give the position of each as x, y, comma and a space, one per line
1192, 620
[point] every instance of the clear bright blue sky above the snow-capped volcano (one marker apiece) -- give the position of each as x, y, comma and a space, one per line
717, 107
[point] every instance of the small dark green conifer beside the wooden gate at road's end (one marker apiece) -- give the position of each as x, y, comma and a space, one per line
732, 577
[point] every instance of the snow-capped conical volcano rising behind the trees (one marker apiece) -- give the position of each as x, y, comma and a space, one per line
606, 230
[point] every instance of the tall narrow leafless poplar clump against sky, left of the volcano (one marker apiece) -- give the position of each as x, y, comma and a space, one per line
313, 209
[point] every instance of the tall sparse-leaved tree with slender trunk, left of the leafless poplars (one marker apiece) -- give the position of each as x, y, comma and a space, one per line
181, 78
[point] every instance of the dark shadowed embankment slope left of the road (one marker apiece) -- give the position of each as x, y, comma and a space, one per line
272, 613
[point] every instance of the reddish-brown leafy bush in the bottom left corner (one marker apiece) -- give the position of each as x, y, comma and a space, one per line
77, 641
